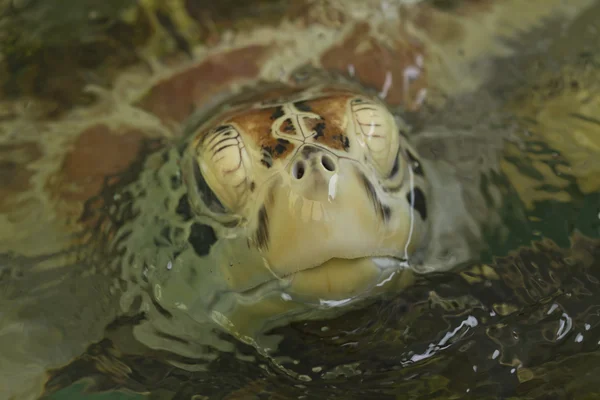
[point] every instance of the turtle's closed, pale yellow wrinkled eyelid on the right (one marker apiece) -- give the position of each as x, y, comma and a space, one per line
377, 132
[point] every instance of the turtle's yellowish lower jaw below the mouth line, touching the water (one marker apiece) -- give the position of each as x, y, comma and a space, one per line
318, 292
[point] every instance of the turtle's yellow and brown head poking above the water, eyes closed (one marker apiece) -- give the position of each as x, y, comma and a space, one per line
321, 186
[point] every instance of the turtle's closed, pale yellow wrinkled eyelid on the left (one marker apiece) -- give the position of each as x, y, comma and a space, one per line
222, 170
